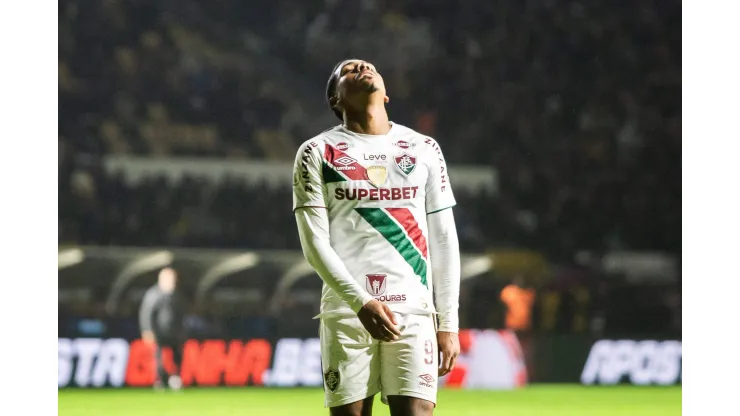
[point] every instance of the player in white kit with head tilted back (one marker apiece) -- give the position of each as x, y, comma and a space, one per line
372, 201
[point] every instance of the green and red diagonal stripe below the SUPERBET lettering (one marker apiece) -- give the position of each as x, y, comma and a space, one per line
399, 227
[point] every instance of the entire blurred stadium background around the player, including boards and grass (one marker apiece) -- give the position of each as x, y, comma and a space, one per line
561, 123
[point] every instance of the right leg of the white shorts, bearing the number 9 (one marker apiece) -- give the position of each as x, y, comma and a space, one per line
409, 365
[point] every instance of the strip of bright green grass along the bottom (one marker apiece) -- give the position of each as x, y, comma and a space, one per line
539, 400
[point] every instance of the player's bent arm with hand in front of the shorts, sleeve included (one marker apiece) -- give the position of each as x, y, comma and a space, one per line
309, 206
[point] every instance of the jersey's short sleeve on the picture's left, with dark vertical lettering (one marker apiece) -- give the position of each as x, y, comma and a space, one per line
308, 188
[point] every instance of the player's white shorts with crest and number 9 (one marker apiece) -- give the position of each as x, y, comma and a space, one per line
356, 366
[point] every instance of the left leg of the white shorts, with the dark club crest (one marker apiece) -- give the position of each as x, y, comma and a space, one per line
349, 360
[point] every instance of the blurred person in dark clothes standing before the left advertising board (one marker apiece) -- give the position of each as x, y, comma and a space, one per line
161, 319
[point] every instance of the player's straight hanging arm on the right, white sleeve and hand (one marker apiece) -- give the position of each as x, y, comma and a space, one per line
444, 251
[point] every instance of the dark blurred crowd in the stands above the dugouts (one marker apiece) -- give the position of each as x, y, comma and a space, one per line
575, 103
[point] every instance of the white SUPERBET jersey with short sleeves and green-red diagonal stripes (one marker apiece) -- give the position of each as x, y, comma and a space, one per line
378, 191
